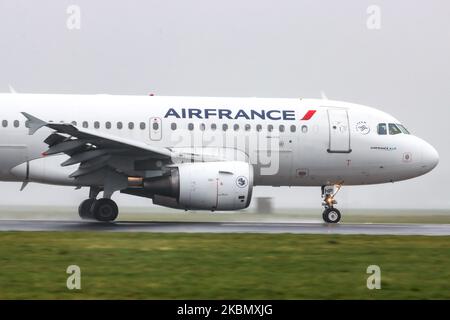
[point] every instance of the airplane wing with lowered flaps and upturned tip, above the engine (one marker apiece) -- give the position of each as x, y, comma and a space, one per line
101, 155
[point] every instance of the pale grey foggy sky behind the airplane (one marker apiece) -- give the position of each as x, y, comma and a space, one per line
398, 63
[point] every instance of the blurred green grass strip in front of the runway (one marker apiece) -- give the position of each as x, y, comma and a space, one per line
222, 266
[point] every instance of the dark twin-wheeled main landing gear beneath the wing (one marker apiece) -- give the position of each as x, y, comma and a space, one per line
104, 209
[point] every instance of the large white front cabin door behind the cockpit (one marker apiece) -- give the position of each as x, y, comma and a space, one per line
339, 131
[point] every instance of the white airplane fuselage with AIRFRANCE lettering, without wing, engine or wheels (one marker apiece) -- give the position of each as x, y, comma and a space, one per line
290, 142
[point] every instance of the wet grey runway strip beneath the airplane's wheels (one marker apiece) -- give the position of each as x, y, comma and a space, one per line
227, 227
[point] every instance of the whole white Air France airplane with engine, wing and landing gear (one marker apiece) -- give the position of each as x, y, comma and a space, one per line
201, 153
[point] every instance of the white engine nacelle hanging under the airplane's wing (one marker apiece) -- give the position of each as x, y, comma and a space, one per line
213, 186
